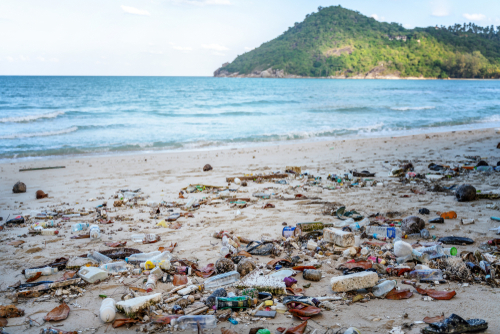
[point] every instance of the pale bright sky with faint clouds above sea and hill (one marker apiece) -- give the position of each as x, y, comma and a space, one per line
180, 37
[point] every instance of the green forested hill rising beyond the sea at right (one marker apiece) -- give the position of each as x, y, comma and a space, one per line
340, 43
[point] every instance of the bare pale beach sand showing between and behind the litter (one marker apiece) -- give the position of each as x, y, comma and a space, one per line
162, 175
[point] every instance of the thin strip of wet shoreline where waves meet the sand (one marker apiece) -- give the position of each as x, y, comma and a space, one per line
246, 145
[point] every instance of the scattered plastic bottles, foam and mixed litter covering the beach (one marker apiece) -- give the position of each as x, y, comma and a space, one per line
366, 256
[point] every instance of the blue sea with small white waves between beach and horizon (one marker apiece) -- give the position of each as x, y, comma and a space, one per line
54, 116
